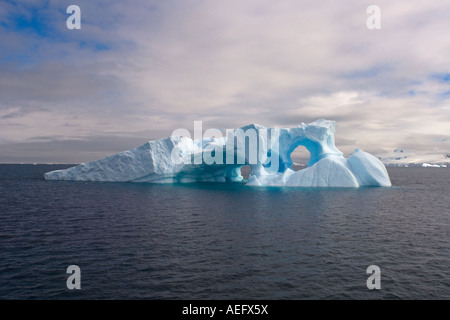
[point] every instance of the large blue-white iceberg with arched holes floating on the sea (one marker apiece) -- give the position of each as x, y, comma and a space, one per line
180, 159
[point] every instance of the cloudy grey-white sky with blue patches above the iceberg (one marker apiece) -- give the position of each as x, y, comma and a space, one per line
137, 70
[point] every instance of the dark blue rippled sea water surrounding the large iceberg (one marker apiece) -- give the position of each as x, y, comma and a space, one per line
222, 241
